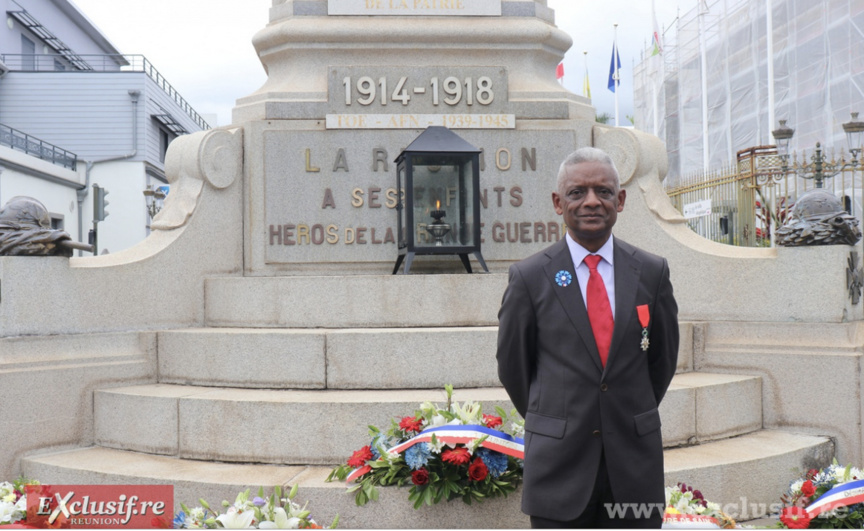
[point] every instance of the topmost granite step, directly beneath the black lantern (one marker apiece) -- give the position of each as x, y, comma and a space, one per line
355, 301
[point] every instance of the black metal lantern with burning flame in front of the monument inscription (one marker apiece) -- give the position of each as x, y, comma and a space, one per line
440, 210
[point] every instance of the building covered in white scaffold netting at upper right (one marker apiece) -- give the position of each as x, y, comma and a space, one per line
714, 90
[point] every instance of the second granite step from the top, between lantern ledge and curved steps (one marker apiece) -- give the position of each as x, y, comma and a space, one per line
358, 358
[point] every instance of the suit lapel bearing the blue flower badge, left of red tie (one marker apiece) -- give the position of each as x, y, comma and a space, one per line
570, 297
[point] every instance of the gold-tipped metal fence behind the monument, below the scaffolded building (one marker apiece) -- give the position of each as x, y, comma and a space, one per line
743, 203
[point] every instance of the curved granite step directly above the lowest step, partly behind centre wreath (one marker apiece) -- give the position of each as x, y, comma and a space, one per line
275, 426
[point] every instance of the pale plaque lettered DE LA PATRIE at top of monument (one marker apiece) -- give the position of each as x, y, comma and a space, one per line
415, 7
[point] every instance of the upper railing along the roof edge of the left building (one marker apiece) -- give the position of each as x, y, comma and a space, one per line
100, 63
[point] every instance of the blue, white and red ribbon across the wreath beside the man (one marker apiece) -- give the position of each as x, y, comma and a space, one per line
457, 434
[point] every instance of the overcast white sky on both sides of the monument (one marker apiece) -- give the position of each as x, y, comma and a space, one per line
206, 53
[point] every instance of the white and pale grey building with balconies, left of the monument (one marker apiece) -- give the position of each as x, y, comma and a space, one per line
75, 112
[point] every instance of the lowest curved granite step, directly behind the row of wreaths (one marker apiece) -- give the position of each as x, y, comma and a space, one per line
756, 467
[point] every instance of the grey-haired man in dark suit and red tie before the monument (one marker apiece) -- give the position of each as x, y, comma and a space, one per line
588, 384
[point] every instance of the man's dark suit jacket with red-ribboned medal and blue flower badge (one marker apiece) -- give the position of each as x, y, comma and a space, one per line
573, 408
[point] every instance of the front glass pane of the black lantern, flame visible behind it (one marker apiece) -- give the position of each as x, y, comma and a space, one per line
443, 200
